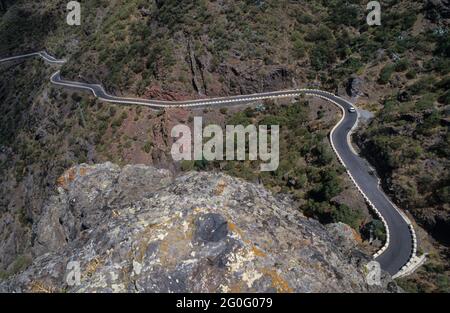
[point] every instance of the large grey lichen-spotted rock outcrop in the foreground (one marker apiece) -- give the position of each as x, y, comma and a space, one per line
138, 229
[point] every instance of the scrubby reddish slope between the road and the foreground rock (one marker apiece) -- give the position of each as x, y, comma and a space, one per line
51, 128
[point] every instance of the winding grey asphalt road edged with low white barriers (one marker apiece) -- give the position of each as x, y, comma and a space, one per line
399, 247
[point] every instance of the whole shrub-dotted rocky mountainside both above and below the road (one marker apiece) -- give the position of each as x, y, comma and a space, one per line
179, 49
